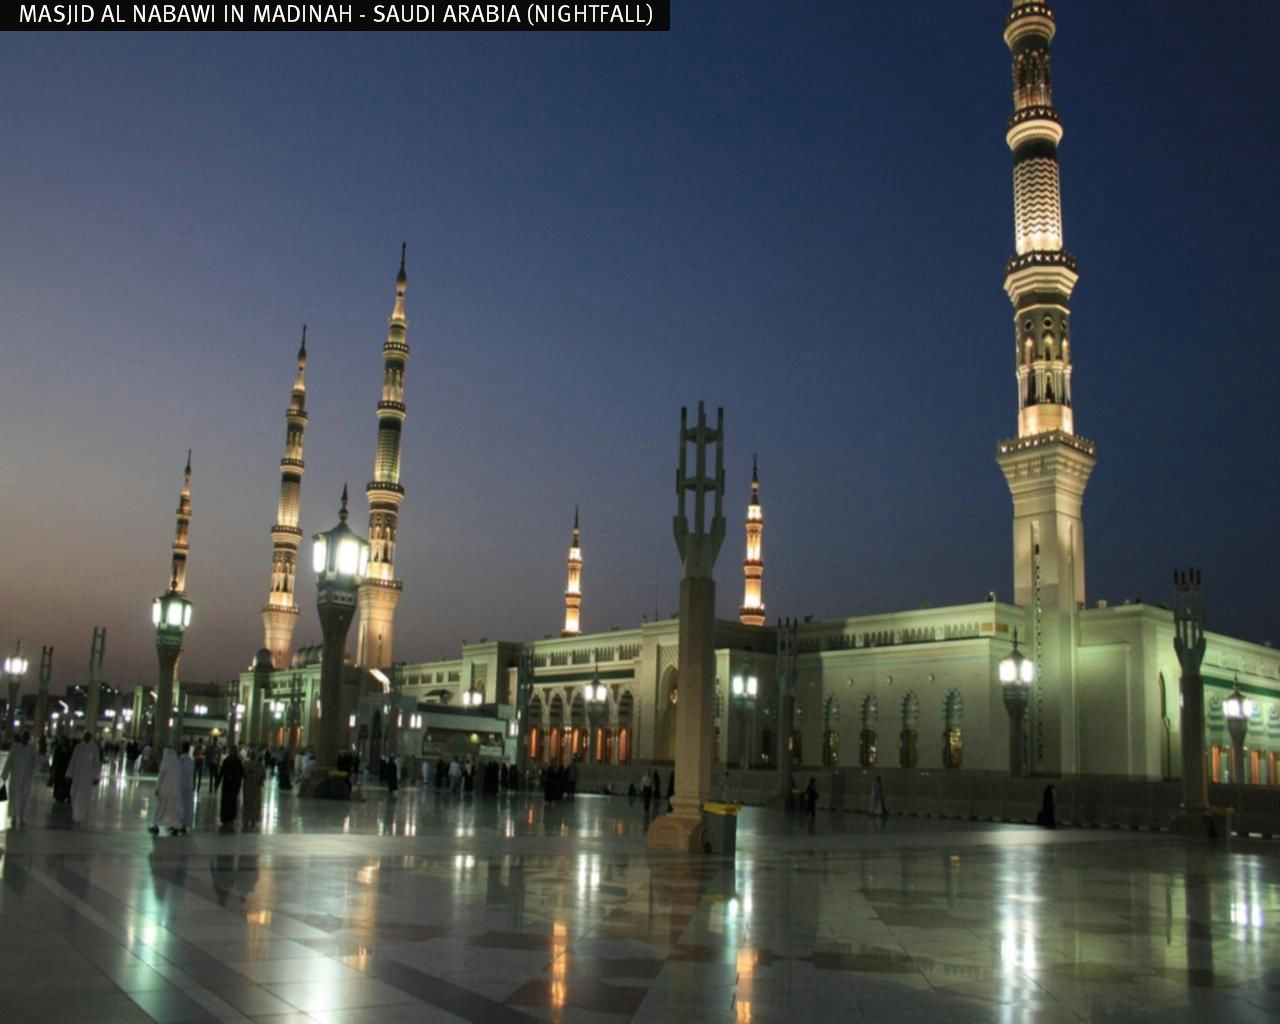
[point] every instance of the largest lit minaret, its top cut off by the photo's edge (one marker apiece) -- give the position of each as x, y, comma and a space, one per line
1048, 465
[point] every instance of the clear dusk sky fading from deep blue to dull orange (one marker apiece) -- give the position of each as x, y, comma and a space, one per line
803, 220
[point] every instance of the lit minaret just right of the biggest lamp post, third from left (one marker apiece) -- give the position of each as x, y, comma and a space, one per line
381, 592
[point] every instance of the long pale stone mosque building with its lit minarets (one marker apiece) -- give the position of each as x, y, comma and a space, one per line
911, 689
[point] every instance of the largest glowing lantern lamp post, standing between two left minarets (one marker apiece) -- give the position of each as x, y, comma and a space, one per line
341, 559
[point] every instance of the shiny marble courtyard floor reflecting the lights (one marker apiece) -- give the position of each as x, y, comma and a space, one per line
424, 908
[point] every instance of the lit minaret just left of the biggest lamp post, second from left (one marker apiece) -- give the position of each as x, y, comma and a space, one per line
281, 612
